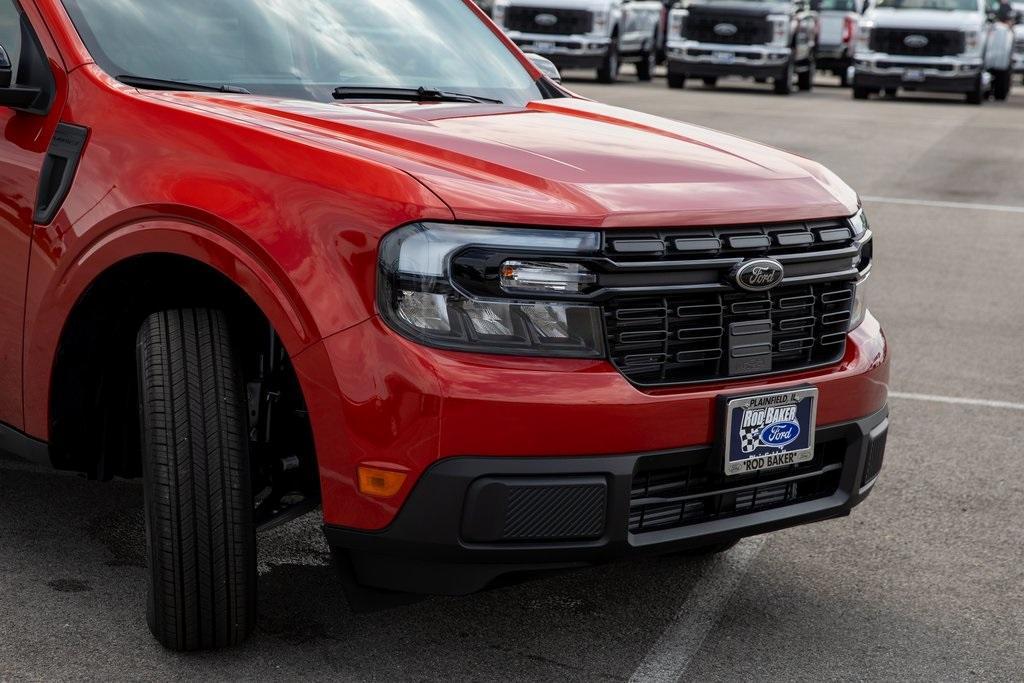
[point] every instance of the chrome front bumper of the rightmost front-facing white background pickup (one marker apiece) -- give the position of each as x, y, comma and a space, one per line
927, 74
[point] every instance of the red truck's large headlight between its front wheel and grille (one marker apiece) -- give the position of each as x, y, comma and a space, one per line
425, 283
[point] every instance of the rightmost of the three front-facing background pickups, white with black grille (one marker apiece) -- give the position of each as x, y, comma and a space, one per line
933, 47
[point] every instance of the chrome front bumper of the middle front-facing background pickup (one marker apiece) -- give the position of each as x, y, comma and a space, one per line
700, 60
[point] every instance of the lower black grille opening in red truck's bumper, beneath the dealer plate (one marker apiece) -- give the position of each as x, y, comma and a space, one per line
668, 495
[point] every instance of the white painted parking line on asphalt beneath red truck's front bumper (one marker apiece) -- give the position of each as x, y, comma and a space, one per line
669, 659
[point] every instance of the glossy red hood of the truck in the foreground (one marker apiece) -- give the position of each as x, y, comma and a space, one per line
562, 162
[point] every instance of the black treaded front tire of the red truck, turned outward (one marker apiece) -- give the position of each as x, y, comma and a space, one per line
201, 539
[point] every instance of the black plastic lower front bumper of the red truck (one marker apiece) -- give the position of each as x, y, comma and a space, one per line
473, 521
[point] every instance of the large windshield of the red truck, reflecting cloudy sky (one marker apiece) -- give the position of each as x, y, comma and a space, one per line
304, 49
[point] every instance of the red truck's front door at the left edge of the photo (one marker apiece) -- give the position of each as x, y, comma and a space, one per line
23, 151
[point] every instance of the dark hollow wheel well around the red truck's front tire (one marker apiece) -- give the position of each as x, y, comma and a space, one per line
95, 395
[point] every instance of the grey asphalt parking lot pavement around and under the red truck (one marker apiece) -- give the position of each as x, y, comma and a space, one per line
924, 582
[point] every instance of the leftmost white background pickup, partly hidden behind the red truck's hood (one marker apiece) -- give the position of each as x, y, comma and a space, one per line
587, 34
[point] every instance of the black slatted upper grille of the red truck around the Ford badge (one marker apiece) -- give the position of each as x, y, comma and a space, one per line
677, 338
